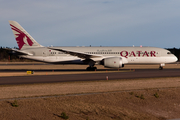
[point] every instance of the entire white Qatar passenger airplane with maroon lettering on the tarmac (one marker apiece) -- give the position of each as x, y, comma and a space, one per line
110, 57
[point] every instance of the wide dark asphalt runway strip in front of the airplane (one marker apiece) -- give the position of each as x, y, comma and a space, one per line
139, 73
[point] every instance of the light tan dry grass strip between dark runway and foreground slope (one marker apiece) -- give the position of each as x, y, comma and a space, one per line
85, 87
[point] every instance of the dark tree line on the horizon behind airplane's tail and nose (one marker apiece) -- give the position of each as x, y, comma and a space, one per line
7, 55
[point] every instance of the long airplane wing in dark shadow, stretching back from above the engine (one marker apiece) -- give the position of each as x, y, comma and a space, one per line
78, 54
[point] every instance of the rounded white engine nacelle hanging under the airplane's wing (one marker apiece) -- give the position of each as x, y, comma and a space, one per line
113, 62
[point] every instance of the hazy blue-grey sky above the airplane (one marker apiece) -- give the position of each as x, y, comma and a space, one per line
93, 22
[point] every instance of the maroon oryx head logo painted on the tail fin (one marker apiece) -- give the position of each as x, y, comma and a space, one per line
21, 38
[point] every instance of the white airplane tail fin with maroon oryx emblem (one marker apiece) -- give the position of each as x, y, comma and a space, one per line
23, 39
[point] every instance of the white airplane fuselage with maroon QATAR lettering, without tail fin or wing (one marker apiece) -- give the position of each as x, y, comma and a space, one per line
130, 55
